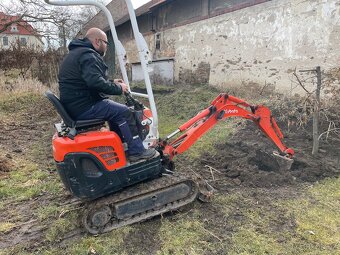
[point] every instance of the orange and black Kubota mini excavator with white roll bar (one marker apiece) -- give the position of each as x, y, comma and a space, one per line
93, 166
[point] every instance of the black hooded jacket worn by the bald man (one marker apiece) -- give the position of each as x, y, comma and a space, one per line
83, 78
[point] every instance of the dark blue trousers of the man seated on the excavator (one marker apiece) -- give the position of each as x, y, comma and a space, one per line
116, 115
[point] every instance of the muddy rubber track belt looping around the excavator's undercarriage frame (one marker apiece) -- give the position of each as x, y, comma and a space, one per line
135, 191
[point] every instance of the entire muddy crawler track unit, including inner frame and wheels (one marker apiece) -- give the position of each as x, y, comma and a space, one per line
139, 202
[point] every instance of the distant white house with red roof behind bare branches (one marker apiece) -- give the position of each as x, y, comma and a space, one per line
18, 33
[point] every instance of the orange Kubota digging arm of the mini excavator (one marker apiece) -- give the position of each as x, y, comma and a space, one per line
222, 107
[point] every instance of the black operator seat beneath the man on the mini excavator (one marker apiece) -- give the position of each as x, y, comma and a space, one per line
72, 127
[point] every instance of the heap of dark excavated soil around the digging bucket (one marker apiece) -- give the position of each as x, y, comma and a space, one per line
240, 160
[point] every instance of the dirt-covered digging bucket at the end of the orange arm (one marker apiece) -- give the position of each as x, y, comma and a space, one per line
274, 161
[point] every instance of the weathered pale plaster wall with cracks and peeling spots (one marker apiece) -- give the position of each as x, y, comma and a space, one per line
262, 44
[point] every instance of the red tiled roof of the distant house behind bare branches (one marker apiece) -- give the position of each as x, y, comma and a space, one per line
23, 28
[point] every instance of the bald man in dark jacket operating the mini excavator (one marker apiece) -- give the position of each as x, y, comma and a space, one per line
83, 84
